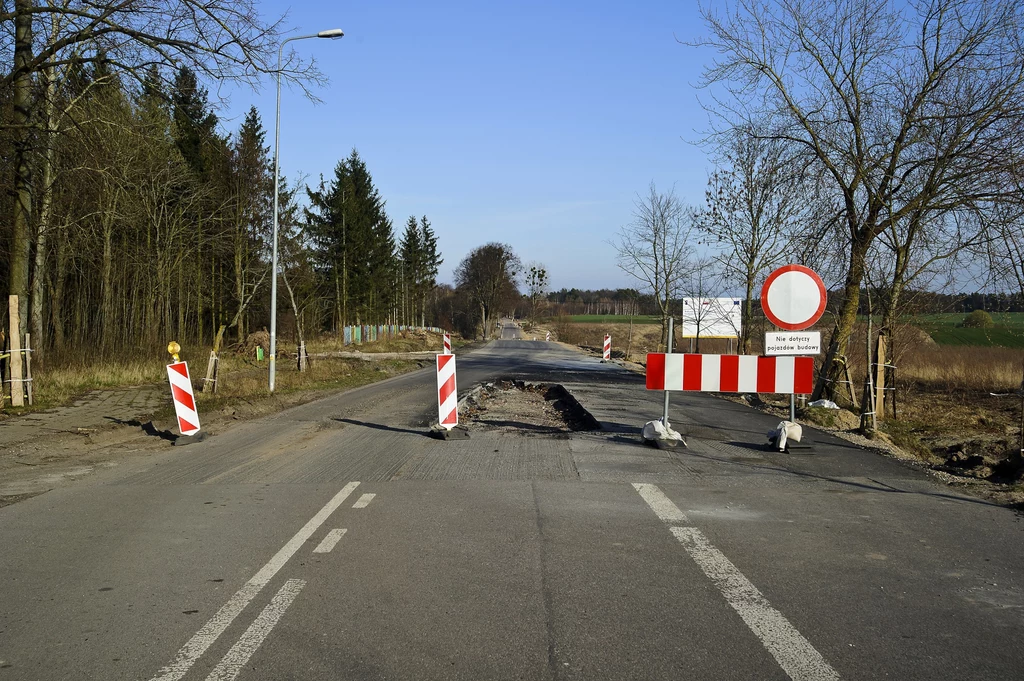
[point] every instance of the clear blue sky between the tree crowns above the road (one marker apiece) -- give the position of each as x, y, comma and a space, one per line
530, 123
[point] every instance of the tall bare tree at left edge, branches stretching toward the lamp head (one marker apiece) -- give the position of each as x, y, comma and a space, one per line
224, 40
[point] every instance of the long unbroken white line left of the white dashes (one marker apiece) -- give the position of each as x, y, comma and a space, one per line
212, 630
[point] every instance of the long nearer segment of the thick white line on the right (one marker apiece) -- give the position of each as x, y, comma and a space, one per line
793, 653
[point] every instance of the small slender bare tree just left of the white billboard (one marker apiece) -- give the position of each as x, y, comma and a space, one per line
656, 249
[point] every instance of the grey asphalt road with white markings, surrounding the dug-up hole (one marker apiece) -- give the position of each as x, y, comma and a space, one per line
336, 541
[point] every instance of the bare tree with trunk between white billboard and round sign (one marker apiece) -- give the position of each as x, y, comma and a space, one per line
752, 207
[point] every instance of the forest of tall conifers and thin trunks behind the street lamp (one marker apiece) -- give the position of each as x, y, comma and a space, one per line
152, 223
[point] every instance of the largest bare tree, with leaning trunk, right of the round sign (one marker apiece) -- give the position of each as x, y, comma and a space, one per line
903, 109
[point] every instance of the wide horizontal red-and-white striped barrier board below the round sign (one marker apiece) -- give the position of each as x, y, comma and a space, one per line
731, 373
